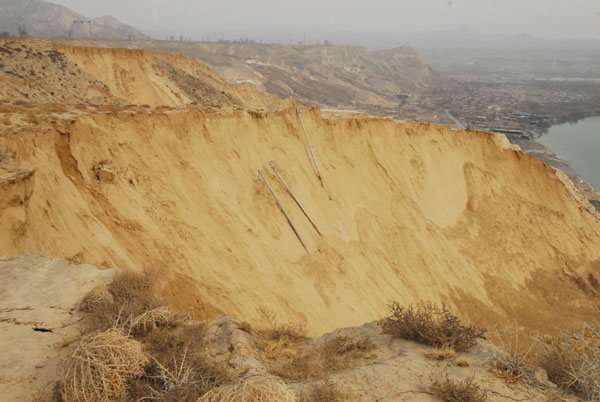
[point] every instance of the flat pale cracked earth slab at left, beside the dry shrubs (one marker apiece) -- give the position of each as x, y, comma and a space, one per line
38, 317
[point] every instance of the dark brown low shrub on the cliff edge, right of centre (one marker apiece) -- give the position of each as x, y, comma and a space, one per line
430, 325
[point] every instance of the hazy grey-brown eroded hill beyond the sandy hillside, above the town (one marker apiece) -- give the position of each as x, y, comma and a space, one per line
347, 77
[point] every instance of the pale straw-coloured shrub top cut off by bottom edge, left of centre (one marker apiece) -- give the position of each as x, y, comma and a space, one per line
256, 388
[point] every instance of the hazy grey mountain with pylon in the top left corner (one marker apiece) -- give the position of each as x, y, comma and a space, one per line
40, 18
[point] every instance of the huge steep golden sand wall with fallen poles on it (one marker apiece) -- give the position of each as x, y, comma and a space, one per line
409, 212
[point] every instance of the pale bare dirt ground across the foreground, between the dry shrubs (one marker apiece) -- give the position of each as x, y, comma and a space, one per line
45, 294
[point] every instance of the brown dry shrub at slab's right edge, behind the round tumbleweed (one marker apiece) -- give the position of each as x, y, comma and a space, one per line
129, 295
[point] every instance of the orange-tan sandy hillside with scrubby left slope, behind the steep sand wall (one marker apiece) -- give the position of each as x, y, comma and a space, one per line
42, 72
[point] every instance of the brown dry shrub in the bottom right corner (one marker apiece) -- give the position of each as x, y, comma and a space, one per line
573, 362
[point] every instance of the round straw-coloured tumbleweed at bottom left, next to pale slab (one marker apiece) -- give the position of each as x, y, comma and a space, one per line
101, 366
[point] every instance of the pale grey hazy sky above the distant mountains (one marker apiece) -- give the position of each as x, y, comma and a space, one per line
543, 18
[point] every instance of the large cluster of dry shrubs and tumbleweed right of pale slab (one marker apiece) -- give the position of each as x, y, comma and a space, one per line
139, 350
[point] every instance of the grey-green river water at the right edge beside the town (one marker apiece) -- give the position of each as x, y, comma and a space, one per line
579, 144
